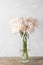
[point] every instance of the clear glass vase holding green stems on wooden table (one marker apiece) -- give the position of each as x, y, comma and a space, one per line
24, 49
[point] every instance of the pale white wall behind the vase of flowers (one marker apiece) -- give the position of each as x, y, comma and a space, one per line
9, 43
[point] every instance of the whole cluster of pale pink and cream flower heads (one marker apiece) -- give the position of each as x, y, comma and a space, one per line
23, 24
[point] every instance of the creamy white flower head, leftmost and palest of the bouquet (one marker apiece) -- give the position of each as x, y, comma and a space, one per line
15, 26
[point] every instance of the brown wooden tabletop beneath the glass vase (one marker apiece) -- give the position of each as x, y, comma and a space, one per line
16, 61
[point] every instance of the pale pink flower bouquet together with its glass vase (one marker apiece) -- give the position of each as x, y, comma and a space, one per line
24, 26
